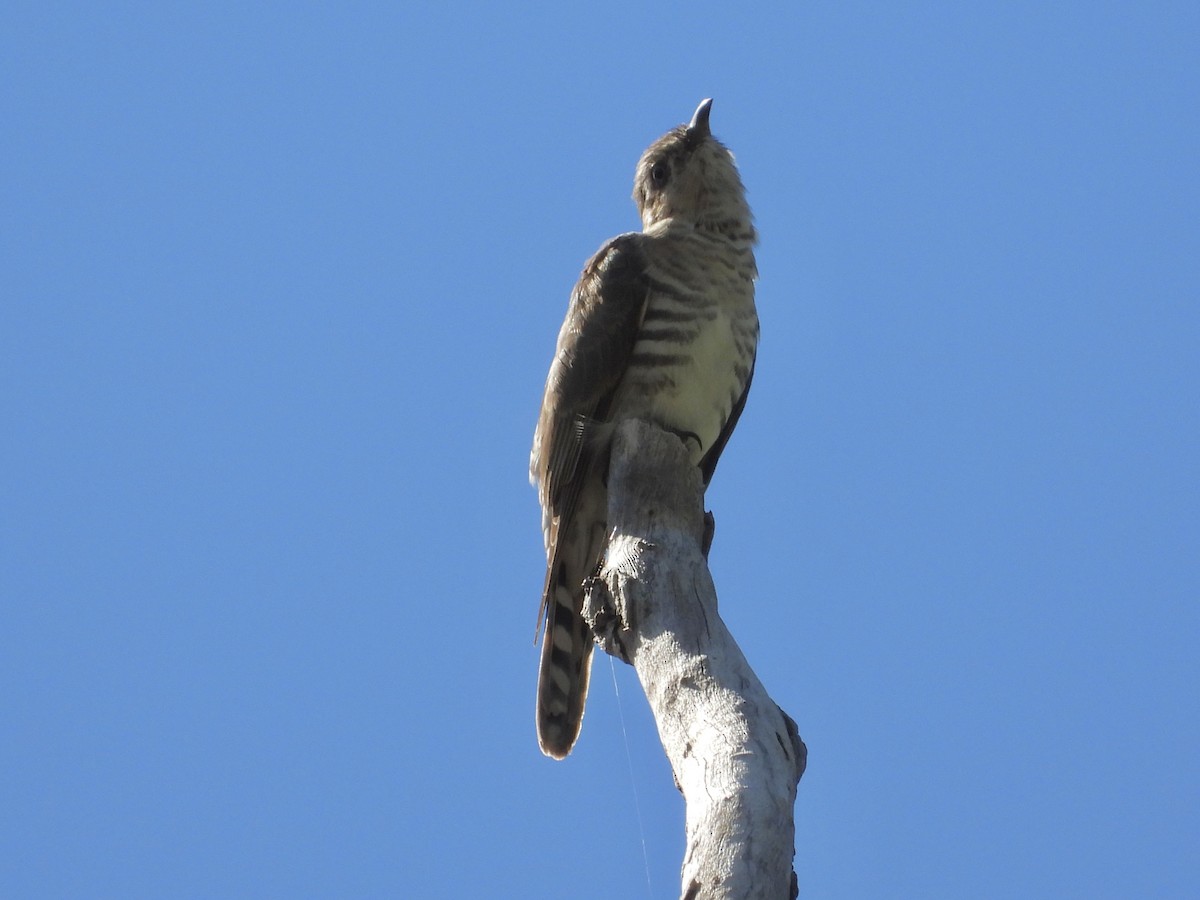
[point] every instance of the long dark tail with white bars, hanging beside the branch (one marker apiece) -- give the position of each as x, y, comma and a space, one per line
566, 663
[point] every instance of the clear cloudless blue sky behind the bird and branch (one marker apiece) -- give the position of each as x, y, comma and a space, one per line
281, 285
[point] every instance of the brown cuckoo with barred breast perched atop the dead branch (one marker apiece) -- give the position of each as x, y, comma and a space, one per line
661, 327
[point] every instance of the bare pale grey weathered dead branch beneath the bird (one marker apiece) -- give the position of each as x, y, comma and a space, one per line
737, 757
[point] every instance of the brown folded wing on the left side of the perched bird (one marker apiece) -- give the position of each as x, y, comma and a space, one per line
595, 346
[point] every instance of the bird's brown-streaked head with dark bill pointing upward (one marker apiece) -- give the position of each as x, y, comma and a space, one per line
689, 176
